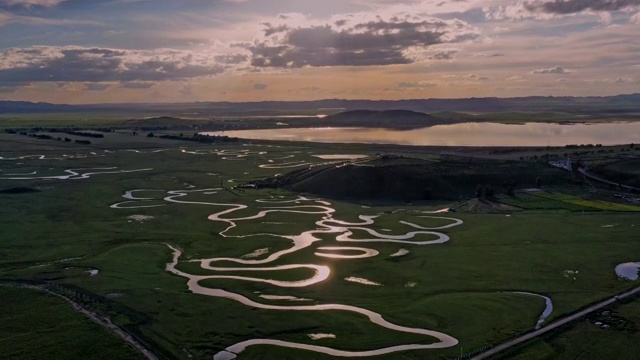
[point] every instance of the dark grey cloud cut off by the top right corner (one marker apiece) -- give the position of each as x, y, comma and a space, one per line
564, 7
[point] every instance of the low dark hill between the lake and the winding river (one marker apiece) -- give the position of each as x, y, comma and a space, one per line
409, 179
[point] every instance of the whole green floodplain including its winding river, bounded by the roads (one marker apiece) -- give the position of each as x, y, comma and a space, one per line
161, 239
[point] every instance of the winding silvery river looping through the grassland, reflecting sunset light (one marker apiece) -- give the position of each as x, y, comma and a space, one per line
342, 230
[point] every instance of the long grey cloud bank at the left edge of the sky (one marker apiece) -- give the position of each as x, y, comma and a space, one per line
79, 64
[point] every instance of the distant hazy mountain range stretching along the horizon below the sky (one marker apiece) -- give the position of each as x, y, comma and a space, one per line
621, 104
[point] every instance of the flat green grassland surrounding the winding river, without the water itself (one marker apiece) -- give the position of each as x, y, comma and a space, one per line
461, 287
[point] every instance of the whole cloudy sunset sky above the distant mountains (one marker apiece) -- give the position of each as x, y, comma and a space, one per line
121, 51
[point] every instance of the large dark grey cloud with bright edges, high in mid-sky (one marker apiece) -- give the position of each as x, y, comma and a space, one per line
359, 39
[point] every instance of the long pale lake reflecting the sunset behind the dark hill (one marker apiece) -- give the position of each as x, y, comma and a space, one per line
464, 134
